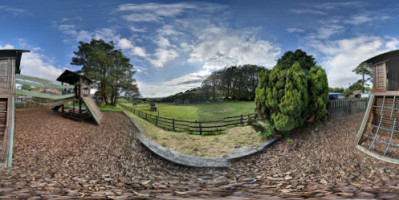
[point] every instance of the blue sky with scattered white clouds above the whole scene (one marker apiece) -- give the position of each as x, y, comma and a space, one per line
175, 45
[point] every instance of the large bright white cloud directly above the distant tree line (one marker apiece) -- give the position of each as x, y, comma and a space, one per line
220, 47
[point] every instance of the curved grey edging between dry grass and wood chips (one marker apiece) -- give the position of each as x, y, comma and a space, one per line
192, 161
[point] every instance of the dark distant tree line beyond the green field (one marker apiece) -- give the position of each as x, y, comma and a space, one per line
235, 83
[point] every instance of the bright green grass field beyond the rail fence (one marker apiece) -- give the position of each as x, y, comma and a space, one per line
200, 112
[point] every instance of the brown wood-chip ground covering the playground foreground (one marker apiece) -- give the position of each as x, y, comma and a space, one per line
56, 157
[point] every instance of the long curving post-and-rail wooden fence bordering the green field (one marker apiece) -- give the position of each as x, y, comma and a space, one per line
193, 127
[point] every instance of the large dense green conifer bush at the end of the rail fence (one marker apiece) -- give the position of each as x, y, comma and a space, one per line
289, 96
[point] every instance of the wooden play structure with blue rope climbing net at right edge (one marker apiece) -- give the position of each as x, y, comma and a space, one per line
378, 135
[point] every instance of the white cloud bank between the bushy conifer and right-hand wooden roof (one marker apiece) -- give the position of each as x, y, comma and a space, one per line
342, 56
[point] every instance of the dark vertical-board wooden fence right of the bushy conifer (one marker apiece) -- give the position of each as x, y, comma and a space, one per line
344, 107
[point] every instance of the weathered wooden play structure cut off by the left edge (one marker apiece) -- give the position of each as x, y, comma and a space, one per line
10, 60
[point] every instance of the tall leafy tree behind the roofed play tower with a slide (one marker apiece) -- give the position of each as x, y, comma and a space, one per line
108, 68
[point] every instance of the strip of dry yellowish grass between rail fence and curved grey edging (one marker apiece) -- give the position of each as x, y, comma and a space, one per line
199, 145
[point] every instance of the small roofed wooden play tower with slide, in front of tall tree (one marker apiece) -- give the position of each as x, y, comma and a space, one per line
82, 97
